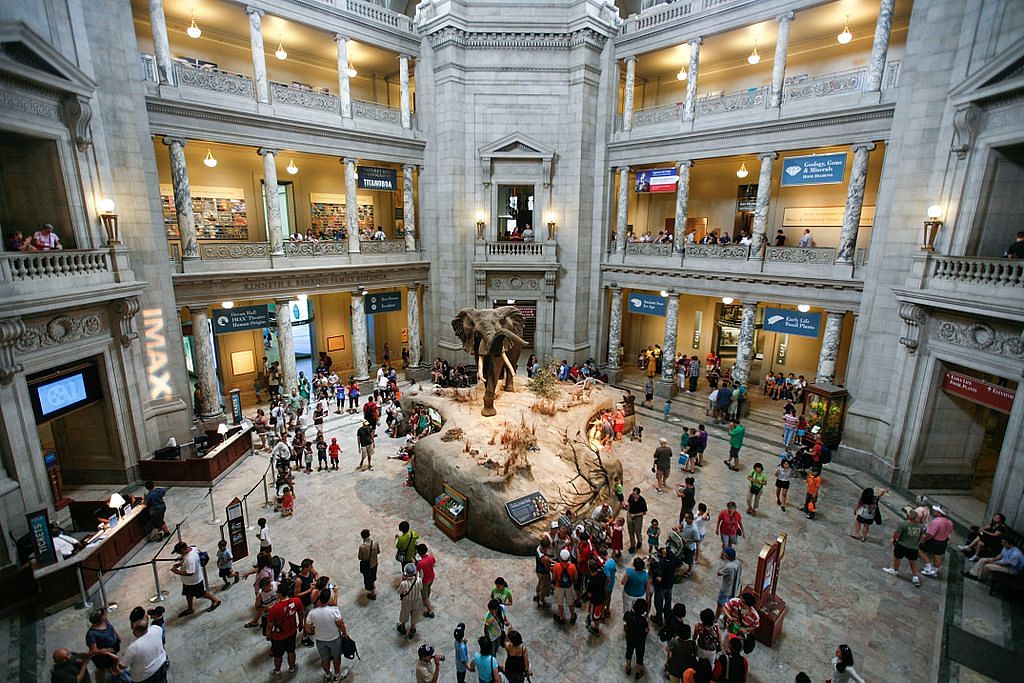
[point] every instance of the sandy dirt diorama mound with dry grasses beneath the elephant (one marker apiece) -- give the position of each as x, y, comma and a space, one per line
534, 445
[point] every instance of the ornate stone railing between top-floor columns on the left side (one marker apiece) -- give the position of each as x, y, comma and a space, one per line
200, 81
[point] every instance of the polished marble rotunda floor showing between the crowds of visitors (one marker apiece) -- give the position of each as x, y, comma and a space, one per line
833, 584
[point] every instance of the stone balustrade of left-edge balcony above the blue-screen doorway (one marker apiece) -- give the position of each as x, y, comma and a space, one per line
36, 273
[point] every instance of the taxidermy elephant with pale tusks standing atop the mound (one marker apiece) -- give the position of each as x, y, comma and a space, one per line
494, 337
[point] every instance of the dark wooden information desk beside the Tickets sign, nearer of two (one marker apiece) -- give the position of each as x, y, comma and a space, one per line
58, 583
